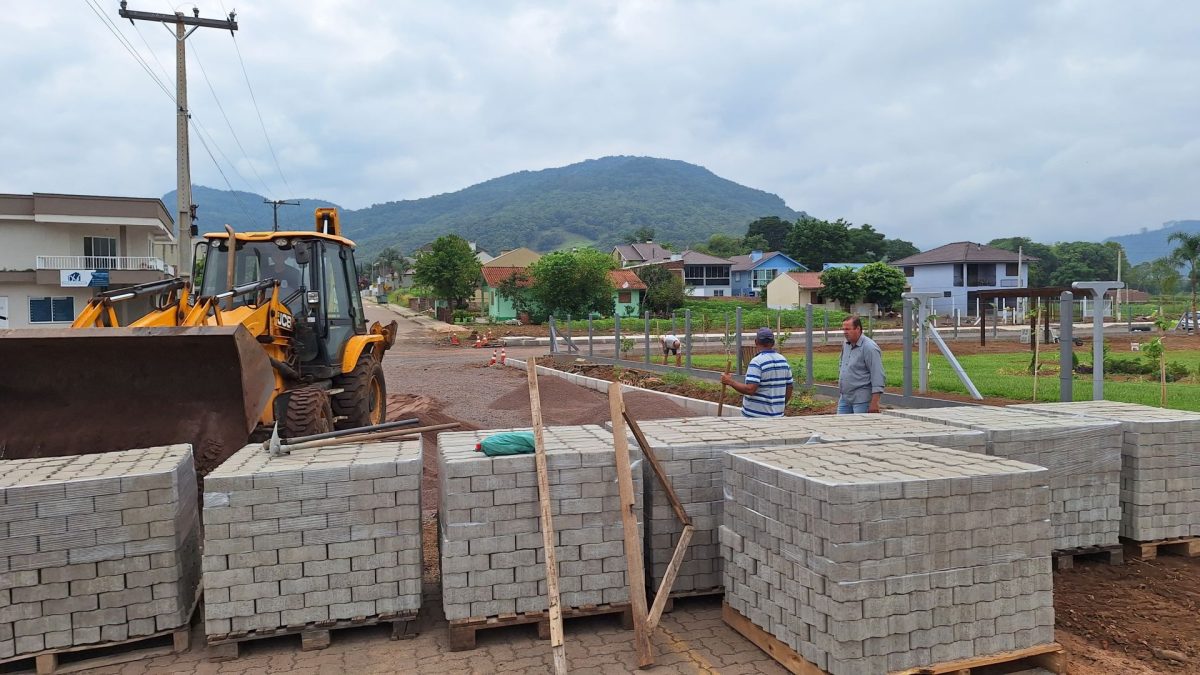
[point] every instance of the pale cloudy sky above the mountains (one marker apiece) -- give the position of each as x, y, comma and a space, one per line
933, 121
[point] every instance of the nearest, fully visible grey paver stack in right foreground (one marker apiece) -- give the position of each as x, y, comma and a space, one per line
890, 555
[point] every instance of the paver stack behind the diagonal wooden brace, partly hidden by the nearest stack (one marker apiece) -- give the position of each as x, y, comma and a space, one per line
692, 450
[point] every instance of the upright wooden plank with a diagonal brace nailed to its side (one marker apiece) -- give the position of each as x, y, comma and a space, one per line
635, 571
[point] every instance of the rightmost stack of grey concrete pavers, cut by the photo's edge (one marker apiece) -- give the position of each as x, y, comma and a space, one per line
1160, 470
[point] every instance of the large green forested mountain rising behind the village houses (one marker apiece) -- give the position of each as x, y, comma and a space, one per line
592, 202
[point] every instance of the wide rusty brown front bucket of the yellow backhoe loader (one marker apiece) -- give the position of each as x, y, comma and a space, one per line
68, 392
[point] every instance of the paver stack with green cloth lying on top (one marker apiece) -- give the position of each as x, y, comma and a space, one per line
493, 555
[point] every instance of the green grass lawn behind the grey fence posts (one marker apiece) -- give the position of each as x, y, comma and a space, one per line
1007, 377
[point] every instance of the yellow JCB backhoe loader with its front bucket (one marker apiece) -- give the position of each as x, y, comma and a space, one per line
269, 331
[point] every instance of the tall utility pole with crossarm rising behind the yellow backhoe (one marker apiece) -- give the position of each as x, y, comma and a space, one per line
184, 188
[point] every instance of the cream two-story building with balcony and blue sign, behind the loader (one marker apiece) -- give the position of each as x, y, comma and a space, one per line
57, 252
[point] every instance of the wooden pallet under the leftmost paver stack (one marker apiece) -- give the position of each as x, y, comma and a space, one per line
86, 658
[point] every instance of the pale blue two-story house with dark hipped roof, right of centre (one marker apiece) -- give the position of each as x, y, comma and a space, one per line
961, 270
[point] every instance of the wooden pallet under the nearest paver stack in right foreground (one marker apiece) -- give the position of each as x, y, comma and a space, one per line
1049, 658
